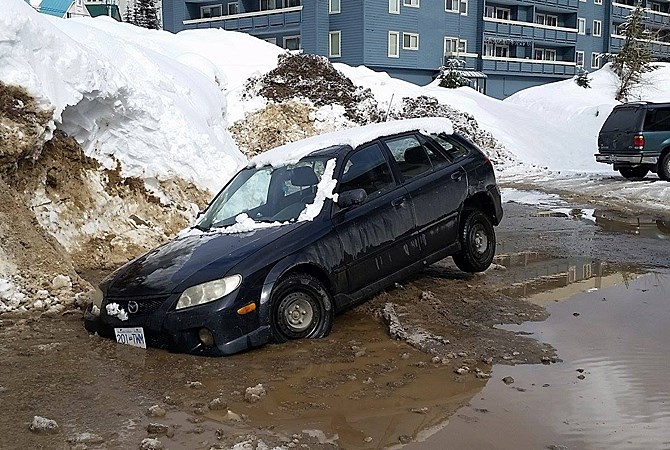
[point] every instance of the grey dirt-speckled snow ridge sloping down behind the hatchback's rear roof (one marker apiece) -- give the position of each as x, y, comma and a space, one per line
464, 123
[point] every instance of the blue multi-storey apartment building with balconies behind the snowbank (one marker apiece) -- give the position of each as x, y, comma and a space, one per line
507, 45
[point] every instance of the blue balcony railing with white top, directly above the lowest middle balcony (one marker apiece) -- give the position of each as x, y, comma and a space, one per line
527, 31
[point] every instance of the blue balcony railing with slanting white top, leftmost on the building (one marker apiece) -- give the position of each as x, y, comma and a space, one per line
257, 21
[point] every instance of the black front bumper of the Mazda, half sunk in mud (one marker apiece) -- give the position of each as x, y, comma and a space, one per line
177, 331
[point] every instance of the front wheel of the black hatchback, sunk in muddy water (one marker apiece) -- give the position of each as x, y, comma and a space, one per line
302, 308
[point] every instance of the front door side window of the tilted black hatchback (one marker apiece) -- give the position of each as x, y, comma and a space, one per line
367, 169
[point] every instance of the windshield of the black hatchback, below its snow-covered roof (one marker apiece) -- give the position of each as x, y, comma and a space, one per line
266, 194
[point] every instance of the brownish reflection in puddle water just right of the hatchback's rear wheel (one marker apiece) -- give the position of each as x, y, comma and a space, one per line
543, 278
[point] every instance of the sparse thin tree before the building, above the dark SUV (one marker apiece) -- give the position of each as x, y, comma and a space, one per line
634, 59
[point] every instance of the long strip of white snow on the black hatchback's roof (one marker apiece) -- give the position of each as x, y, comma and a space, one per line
294, 151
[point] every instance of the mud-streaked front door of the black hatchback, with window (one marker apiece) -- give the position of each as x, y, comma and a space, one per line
375, 235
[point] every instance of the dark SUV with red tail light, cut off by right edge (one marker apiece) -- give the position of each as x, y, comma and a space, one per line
635, 138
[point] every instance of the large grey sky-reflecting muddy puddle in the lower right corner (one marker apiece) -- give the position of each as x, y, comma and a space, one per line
609, 391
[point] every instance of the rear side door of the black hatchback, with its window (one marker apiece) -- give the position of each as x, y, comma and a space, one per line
437, 186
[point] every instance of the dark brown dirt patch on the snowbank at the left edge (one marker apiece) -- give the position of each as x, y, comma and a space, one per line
23, 125
